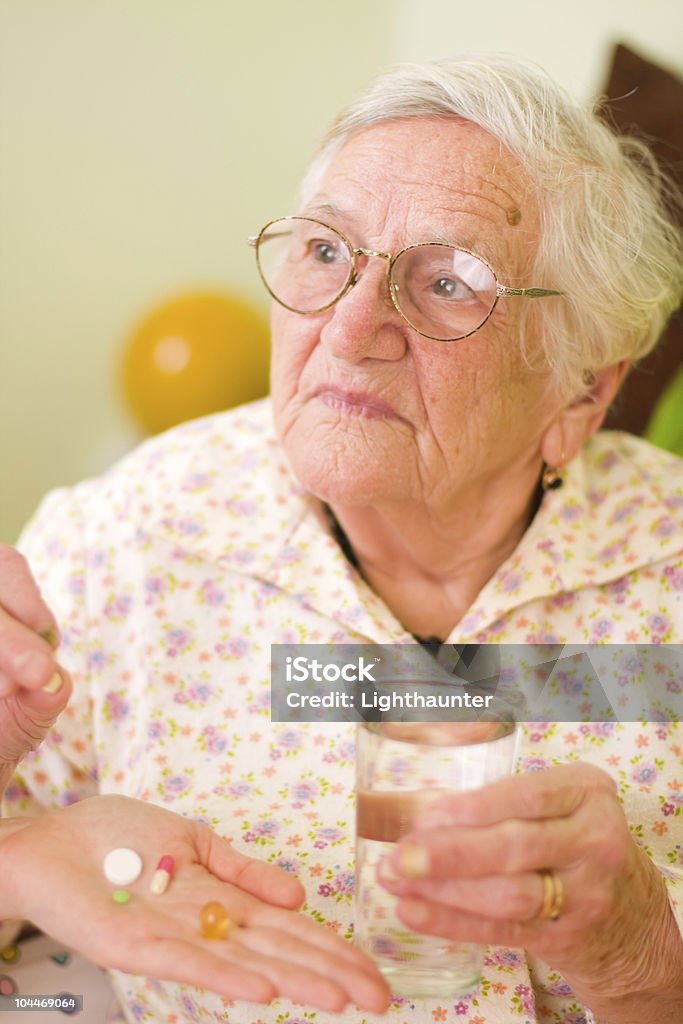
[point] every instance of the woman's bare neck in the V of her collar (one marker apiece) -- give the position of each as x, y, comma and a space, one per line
430, 570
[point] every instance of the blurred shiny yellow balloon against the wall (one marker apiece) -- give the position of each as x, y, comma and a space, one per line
195, 355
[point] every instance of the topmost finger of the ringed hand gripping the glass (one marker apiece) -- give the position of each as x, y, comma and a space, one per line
559, 792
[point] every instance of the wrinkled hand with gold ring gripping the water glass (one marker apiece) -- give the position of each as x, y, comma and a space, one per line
473, 870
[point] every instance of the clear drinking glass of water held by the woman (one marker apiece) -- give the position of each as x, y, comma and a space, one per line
401, 769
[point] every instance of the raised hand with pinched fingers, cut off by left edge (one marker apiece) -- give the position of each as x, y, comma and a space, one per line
34, 690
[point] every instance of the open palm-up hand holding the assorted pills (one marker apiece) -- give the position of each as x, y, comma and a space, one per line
52, 874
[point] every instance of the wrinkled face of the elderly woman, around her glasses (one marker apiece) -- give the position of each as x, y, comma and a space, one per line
367, 409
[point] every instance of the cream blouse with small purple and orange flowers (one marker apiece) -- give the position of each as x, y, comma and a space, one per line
174, 574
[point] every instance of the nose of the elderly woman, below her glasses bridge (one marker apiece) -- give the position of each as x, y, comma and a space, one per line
365, 324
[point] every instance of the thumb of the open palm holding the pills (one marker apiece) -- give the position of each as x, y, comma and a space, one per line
265, 881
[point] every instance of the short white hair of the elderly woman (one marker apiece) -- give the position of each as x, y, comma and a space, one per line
609, 236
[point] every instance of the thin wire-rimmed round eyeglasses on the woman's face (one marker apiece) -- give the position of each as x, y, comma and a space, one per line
444, 292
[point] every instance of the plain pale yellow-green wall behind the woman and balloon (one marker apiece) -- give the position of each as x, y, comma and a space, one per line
141, 143
